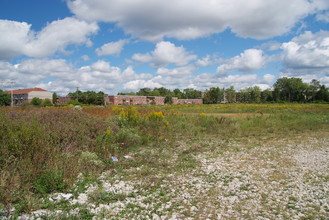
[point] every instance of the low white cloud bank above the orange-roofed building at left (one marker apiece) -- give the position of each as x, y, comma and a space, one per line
59, 76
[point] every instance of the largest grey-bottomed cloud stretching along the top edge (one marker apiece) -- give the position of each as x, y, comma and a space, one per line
190, 19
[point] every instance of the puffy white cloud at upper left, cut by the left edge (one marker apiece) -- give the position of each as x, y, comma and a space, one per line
17, 38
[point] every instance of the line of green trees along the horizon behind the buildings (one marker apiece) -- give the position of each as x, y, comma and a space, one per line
284, 90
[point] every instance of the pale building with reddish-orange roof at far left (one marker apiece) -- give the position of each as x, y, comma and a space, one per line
23, 95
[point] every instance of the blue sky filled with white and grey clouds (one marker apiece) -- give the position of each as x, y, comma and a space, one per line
123, 45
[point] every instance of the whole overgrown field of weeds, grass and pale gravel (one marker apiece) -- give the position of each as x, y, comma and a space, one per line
170, 162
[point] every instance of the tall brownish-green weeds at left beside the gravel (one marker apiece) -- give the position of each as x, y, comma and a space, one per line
40, 149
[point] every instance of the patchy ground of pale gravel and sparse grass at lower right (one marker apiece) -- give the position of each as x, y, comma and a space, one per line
269, 178
